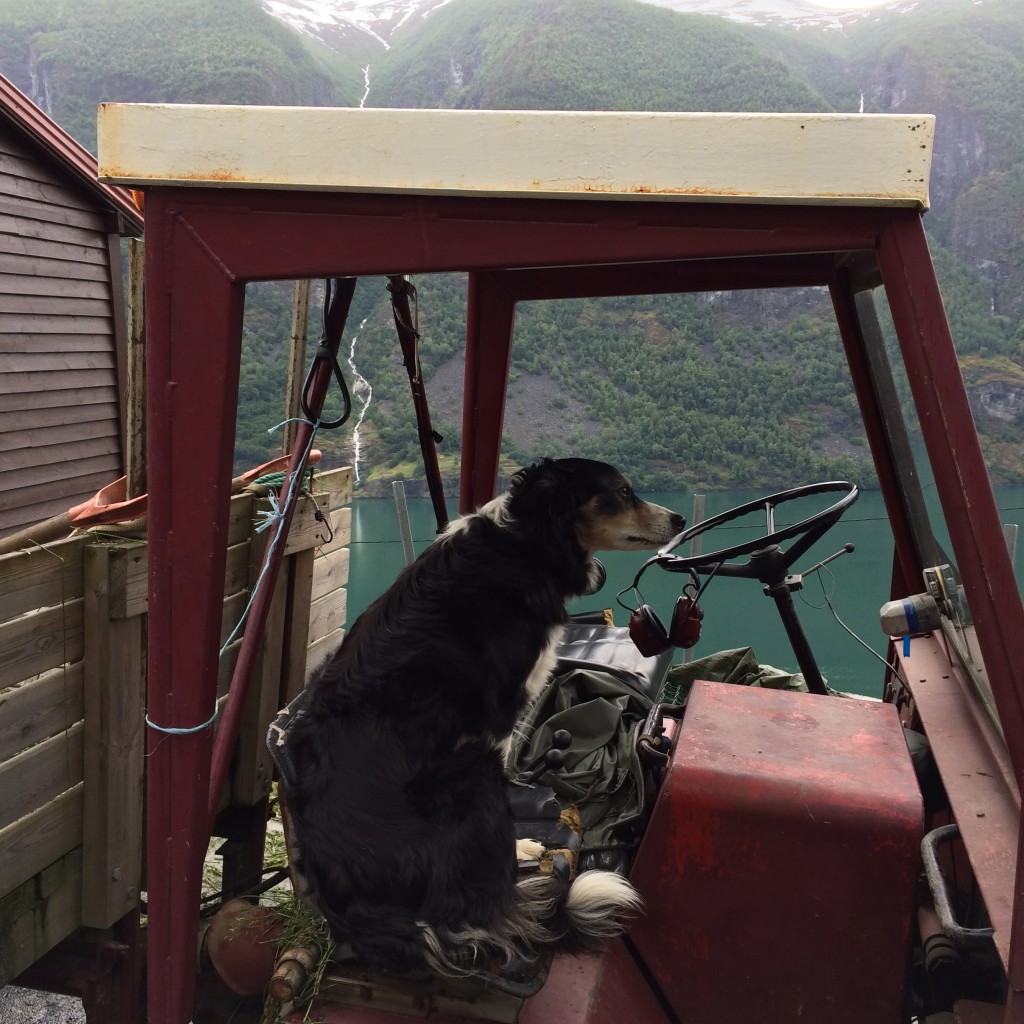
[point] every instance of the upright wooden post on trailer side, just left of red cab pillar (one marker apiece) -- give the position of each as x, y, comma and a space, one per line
114, 745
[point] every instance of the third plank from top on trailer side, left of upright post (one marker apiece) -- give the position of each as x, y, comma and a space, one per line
33, 711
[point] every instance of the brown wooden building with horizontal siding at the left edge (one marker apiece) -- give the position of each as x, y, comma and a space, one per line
62, 318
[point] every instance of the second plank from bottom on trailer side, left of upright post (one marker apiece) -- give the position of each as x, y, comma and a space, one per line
40, 838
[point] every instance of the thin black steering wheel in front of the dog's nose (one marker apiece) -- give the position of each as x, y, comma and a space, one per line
765, 559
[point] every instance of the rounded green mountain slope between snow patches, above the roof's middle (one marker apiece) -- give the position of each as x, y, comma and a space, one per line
584, 55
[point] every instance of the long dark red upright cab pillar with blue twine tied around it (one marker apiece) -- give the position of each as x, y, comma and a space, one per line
194, 325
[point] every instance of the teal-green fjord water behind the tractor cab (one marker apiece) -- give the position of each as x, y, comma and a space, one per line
737, 613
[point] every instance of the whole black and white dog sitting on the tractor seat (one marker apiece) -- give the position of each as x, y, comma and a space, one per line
404, 831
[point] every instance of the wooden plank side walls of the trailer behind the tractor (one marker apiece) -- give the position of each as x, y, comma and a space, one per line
72, 706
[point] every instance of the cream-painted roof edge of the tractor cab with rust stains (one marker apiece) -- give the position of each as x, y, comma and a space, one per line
821, 159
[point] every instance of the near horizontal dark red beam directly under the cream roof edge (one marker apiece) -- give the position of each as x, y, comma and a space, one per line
334, 234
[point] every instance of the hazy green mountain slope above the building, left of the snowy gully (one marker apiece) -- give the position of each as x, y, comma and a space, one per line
71, 57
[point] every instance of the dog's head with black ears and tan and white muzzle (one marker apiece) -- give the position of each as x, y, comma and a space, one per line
591, 503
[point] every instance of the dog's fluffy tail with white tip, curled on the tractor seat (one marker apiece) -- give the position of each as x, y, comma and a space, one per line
580, 918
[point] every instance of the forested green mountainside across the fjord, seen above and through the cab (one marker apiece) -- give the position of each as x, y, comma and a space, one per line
705, 391
